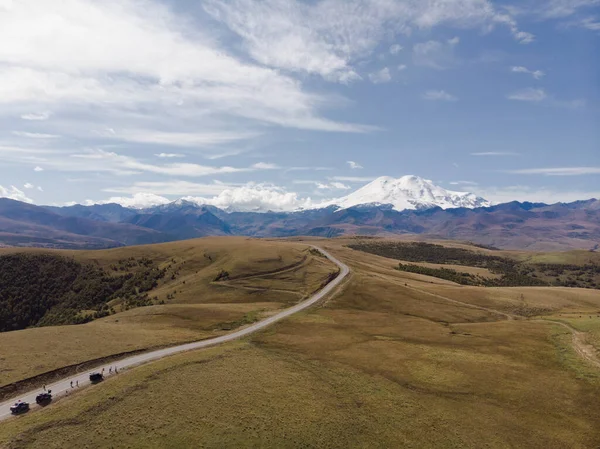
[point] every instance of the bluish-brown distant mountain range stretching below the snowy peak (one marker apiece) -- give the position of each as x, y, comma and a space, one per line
512, 225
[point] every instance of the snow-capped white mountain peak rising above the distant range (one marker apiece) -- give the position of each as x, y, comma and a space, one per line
408, 192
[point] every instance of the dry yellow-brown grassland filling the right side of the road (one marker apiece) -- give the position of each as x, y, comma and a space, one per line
385, 363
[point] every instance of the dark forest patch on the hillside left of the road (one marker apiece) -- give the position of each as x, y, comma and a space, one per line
45, 289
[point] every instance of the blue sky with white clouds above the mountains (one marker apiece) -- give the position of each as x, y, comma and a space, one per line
280, 104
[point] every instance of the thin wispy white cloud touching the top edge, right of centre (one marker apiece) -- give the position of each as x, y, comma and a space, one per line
328, 38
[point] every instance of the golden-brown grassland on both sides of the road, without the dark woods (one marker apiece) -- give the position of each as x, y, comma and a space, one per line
393, 359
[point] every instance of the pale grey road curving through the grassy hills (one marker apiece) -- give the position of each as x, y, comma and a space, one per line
69, 385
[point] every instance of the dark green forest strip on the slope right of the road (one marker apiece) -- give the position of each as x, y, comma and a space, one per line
513, 273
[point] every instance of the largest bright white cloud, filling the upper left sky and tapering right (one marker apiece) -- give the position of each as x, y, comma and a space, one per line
131, 55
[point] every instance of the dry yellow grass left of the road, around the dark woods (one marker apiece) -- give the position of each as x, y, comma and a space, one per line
199, 309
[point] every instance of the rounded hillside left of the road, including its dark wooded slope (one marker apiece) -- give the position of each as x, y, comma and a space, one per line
169, 295
